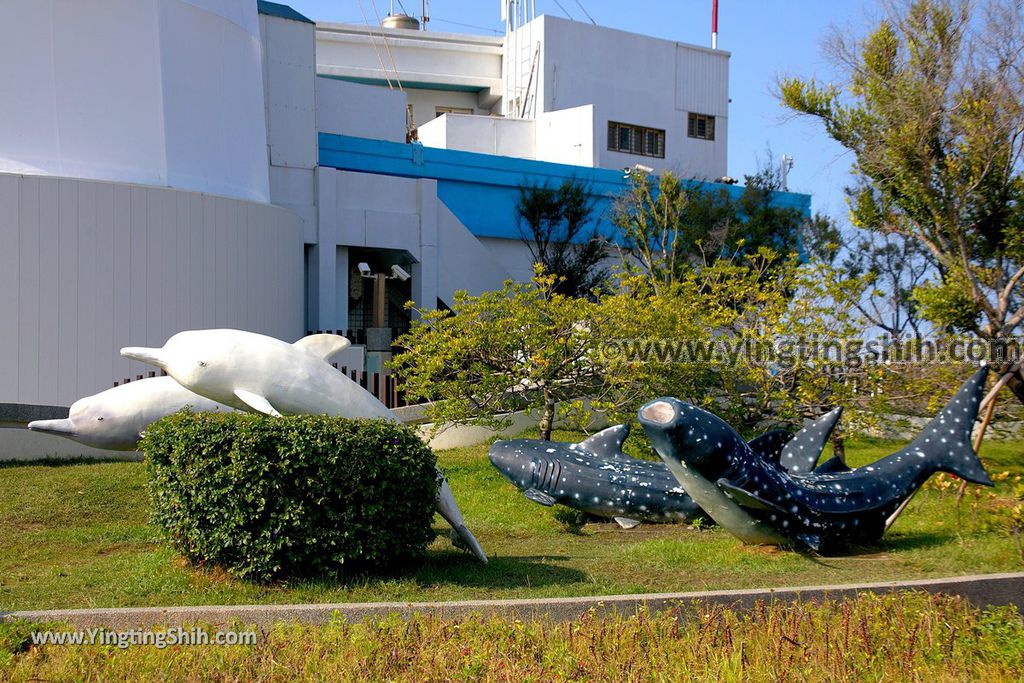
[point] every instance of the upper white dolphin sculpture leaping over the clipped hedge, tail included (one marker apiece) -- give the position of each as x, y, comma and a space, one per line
257, 373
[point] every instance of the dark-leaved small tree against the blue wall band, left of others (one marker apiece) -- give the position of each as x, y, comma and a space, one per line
553, 225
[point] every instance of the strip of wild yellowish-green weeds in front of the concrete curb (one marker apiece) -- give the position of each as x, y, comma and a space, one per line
899, 637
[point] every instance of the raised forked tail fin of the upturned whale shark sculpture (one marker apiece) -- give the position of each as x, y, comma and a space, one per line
947, 440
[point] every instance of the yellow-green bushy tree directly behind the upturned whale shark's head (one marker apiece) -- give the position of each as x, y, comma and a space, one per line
726, 337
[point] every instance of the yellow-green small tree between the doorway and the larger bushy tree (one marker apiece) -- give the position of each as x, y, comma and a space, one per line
523, 348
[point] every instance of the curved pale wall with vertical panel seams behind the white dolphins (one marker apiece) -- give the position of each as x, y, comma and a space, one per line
88, 268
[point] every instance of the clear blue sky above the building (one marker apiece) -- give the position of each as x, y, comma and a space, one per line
767, 38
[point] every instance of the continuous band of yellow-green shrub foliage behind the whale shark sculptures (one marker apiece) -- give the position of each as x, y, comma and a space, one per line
708, 334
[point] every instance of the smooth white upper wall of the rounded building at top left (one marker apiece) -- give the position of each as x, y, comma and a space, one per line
162, 93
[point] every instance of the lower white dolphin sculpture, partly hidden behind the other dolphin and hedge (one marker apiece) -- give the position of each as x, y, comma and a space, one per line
116, 418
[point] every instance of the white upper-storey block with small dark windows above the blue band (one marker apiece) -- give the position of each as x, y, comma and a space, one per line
579, 95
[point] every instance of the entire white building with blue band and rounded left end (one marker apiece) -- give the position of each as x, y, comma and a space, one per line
177, 164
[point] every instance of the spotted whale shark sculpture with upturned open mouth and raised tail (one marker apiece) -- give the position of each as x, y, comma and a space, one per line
824, 511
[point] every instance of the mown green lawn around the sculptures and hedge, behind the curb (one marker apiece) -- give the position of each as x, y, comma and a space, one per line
78, 536
